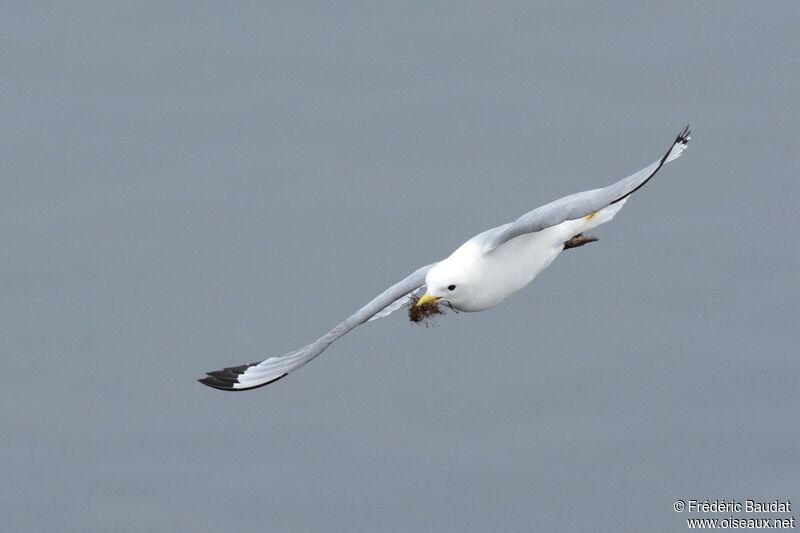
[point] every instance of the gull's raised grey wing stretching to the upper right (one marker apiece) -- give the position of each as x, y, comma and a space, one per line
581, 204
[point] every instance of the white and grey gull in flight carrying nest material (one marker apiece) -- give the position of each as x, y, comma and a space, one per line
478, 275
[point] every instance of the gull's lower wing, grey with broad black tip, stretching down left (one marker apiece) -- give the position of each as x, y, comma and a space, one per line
254, 375
